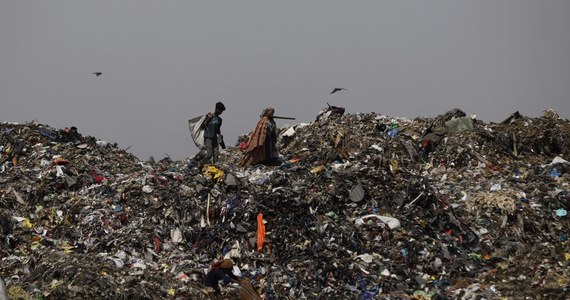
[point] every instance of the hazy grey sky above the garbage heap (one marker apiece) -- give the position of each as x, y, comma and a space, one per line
164, 62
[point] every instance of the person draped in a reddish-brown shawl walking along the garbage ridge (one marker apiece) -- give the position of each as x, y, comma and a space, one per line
262, 143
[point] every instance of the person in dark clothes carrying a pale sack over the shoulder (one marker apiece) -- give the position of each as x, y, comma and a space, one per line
212, 133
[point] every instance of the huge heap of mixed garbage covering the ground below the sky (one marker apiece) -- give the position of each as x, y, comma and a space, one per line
363, 206
